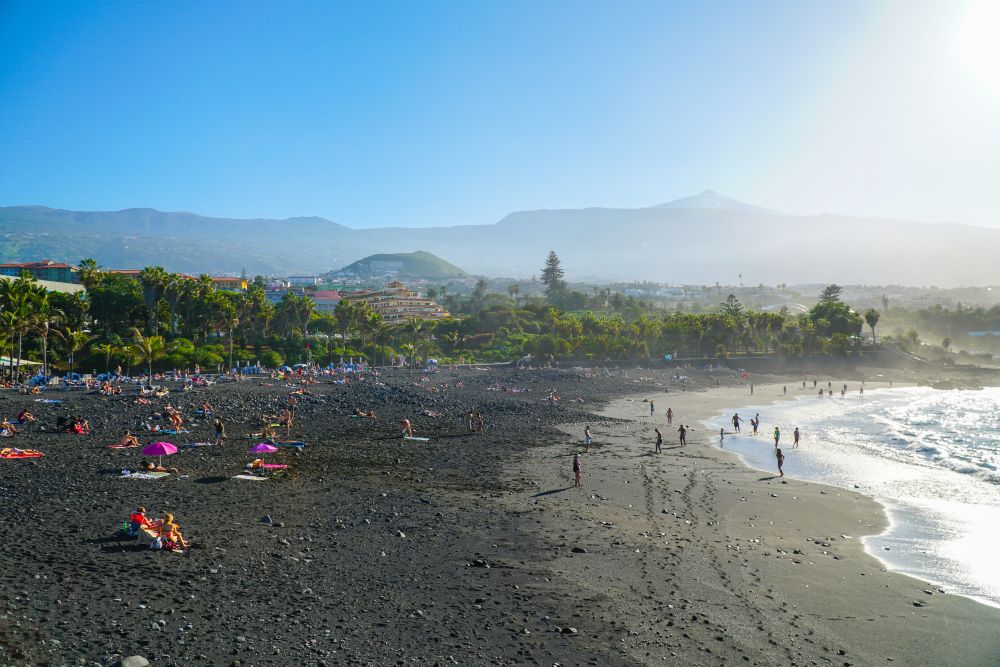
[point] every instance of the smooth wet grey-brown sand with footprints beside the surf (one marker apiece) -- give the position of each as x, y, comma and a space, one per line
799, 541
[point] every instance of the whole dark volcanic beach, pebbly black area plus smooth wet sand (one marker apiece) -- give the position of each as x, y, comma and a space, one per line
456, 551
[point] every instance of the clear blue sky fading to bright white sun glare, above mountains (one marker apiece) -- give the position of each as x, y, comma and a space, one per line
442, 113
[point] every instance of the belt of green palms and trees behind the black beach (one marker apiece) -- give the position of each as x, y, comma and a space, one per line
163, 320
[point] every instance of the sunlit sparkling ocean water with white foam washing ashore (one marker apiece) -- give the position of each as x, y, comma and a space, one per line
930, 457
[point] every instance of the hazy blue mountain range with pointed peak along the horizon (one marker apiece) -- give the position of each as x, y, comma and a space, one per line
706, 238
